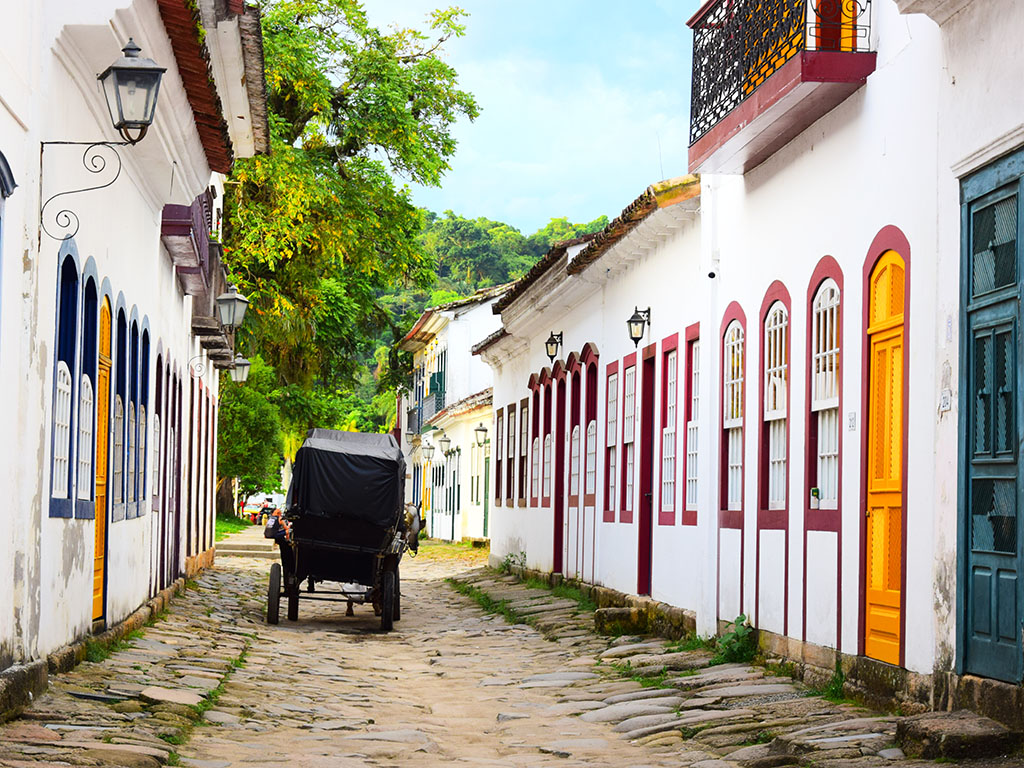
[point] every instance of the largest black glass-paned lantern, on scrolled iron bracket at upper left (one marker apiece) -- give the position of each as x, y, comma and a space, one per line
132, 86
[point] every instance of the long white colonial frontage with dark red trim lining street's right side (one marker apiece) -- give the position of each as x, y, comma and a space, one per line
820, 429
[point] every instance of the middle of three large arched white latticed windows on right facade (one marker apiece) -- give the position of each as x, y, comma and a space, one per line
776, 372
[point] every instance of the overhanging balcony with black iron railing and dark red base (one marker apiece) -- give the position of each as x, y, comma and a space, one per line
765, 70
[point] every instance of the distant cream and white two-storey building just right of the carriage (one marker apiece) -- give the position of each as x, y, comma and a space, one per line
448, 458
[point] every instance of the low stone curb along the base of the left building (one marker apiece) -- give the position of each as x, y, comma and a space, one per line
22, 684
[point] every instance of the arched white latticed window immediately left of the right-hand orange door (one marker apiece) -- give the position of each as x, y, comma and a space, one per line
825, 390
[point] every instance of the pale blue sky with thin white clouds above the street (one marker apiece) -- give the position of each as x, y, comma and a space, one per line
584, 104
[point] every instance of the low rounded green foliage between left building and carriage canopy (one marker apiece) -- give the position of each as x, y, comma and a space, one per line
250, 444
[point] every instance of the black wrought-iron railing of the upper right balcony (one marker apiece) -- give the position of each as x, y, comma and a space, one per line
739, 45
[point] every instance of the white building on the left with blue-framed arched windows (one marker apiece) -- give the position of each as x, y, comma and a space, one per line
108, 334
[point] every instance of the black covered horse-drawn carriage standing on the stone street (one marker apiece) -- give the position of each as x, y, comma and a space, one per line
345, 523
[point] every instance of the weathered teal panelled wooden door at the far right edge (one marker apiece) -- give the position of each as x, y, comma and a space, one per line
992, 412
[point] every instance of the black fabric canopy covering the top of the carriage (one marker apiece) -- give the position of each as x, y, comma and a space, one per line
349, 476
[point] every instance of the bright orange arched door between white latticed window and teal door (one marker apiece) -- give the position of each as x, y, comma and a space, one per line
884, 569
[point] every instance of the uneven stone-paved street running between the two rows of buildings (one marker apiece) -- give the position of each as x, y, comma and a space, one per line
211, 686
